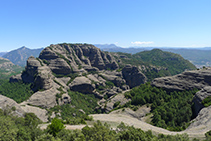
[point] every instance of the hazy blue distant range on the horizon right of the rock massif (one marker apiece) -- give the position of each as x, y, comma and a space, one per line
198, 56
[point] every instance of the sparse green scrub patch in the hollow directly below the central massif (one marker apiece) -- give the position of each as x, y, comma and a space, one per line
73, 113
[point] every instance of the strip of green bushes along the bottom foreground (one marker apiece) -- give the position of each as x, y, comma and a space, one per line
22, 129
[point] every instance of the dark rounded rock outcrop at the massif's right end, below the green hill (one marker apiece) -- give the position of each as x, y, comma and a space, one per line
133, 76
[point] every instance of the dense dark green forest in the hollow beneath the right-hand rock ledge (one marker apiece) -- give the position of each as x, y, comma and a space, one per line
171, 110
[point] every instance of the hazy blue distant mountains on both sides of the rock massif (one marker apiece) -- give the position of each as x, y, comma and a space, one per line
198, 56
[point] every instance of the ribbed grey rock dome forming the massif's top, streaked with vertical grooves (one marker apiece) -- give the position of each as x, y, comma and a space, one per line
70, 58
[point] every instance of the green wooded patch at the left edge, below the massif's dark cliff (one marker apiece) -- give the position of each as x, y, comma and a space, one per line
17, 91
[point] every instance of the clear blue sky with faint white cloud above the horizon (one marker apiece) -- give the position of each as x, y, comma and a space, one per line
126, 23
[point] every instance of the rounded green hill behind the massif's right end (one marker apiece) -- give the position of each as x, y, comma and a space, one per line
156, 63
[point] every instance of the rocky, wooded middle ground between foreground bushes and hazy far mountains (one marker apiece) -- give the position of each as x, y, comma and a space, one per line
79, 83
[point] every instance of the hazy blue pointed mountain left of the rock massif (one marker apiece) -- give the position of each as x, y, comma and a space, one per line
20, 55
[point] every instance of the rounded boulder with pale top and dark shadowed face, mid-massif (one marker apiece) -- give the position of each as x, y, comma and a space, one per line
82, 84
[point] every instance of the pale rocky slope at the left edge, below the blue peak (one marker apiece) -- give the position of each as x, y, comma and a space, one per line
7, 69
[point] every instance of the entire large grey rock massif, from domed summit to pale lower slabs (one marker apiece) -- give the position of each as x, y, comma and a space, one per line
76, 67
